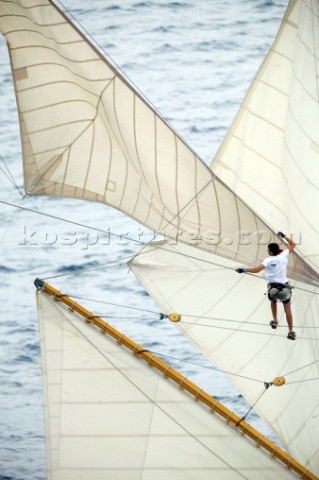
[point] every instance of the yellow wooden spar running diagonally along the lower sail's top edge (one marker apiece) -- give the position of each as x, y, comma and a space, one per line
198, 394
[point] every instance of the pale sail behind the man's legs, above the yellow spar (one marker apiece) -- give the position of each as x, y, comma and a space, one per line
226, 315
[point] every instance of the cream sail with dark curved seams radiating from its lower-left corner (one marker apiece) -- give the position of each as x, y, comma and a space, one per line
86, 133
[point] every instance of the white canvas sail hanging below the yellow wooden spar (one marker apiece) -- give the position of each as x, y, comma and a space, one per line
109, 415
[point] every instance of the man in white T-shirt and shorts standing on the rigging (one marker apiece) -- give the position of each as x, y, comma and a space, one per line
276, 275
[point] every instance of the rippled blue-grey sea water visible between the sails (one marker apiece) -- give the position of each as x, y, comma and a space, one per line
193, 60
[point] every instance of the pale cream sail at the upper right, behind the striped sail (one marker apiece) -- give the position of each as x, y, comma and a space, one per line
270, 156
